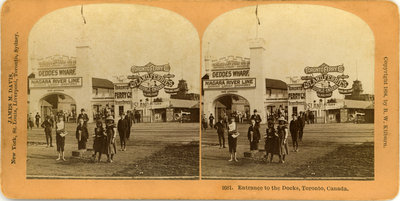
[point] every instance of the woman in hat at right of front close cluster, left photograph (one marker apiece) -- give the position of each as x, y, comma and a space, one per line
111, 132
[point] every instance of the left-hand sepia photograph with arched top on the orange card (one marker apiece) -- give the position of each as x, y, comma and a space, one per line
113, 93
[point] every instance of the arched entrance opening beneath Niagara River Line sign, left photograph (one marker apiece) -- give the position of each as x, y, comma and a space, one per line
58, 104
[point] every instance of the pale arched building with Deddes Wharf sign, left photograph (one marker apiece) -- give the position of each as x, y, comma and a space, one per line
59, 84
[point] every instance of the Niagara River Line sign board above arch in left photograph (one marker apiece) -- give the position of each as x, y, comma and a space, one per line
55, 82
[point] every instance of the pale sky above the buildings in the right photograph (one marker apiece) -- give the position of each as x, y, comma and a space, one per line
296, 36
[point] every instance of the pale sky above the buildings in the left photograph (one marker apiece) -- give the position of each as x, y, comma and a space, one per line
120, 36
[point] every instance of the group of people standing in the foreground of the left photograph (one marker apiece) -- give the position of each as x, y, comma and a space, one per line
104, 134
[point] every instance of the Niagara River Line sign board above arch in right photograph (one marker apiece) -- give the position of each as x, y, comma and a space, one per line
229, 83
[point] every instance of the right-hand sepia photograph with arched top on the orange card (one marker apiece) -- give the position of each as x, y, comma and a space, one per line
288, 93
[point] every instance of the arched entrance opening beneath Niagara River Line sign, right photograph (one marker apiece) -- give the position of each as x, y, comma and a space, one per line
233, 106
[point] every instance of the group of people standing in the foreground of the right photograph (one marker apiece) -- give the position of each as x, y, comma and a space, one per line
276, 137
